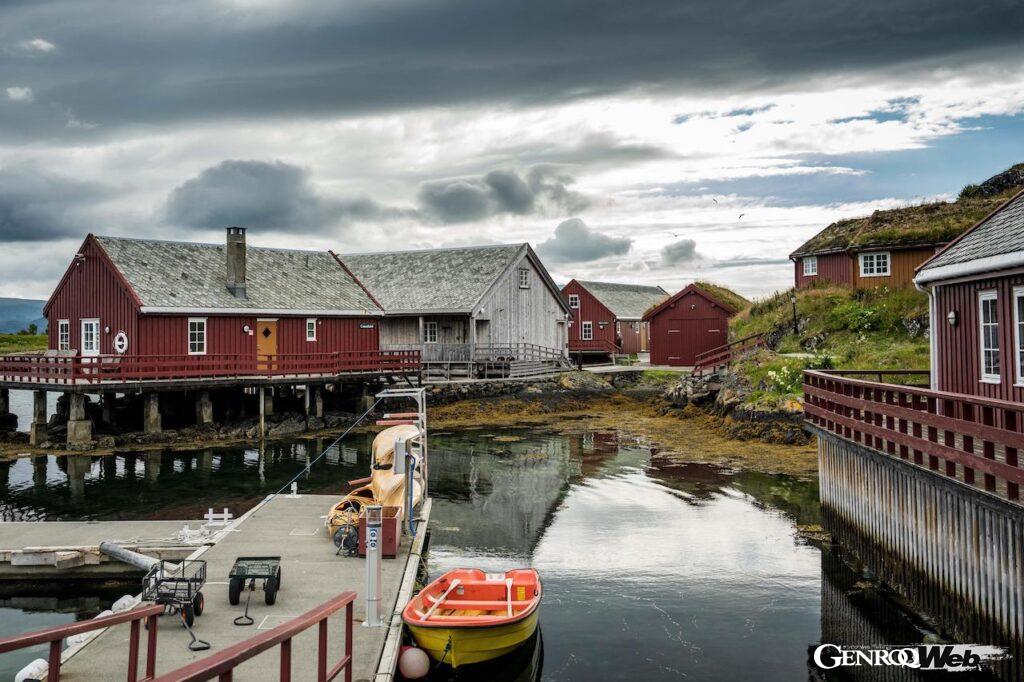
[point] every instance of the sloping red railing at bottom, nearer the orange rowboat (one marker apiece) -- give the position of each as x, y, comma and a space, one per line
223, 664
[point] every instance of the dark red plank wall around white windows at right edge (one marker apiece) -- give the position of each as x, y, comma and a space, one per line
959, 348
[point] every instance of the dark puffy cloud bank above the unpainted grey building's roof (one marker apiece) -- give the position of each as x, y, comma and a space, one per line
543, 189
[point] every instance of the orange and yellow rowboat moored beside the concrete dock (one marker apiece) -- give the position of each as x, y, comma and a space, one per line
467, 617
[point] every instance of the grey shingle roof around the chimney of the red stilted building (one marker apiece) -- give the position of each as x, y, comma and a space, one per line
184, 275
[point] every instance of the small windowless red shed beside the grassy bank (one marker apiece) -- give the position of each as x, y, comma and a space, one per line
689, 324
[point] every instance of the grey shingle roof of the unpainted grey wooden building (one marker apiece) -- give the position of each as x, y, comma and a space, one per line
435, 280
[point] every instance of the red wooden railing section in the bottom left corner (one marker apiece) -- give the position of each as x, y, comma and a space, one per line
56, 636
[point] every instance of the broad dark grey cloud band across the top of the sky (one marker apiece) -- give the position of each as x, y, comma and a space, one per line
122, 63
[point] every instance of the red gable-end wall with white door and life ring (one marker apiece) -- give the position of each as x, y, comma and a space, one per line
94, 289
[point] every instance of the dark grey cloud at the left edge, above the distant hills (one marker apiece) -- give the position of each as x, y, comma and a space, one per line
37, 206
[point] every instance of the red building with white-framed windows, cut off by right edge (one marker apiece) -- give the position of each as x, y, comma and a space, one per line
976, 290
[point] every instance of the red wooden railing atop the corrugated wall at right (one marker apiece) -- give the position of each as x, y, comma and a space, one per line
956, 435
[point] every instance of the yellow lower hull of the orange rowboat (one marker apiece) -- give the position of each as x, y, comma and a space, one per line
474, 645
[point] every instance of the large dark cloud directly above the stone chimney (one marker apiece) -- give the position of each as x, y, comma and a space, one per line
260, 194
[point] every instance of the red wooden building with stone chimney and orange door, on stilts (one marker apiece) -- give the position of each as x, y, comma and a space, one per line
197, 305
